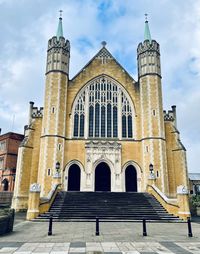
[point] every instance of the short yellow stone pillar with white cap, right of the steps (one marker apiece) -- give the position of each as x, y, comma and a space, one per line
183, 202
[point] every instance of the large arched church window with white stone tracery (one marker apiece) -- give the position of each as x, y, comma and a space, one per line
103, 109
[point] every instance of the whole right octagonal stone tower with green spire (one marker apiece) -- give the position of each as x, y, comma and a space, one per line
152, 119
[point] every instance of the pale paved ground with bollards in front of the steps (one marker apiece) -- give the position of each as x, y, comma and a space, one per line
74, 237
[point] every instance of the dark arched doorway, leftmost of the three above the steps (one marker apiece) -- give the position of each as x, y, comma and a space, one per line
74, 178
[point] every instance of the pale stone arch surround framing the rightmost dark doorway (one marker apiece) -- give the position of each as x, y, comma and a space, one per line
138, 171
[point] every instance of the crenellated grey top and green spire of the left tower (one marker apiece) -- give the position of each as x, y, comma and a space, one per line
58, 52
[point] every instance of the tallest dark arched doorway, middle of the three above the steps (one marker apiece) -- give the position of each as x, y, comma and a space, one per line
102, 177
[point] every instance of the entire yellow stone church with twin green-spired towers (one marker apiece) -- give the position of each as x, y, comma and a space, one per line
102, 131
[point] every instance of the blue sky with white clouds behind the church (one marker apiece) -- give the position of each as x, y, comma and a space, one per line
26, 26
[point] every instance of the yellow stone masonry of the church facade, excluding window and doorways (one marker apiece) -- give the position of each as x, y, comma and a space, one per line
49, 139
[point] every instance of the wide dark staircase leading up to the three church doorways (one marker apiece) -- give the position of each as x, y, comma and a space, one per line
86, 206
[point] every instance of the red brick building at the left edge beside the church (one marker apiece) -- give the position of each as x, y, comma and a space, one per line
9, 144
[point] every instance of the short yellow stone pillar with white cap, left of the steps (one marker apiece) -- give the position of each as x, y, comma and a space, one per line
34, 201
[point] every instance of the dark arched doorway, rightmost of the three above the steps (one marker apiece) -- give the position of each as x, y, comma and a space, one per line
131, 179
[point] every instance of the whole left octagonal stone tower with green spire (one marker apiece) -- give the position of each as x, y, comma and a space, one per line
54, 117
